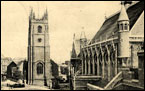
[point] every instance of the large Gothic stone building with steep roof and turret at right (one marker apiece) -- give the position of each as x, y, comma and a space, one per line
114, 48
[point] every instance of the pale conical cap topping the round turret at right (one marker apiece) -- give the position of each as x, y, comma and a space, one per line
123, 13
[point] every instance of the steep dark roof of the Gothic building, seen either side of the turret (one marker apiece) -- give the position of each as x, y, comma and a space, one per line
110, 25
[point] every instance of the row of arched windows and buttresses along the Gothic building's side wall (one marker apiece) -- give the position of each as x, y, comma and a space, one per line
100, 59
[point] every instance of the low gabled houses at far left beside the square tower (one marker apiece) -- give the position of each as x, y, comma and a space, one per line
8, 65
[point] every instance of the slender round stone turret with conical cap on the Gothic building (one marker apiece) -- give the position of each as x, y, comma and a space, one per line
123, 25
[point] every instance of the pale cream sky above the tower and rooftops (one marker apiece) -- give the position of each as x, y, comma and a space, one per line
65, 19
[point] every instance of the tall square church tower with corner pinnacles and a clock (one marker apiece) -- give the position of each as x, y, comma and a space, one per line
39, 66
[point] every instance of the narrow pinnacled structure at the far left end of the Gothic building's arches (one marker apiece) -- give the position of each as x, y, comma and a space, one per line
75, 61
